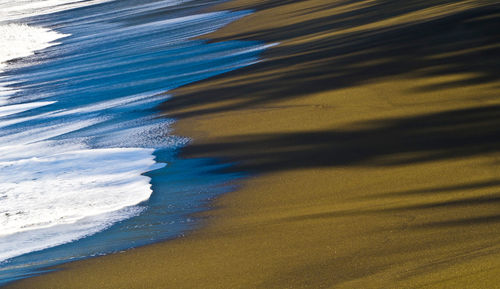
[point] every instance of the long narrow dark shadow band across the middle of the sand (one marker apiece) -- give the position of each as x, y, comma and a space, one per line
451, 134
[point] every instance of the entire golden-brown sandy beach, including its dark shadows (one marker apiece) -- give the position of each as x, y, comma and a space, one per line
372, 135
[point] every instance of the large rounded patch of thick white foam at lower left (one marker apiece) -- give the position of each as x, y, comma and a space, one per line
47, 184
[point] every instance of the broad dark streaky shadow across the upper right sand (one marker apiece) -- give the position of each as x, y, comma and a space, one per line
465, 43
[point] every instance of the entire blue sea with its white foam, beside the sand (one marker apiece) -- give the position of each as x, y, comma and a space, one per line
88, 165
